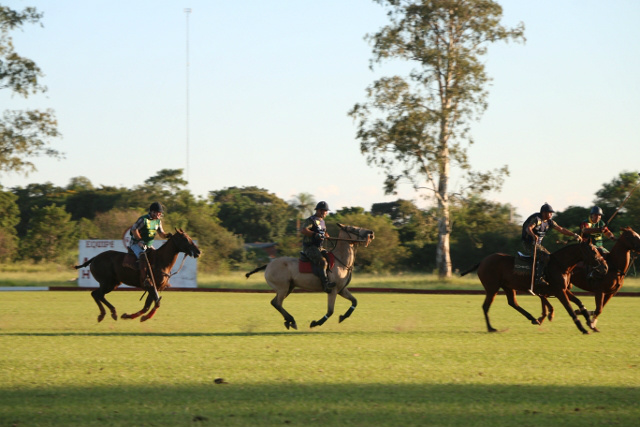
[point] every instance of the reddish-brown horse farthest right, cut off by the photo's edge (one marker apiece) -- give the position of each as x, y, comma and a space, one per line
618, 260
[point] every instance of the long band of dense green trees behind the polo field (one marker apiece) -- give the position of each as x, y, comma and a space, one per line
43, 222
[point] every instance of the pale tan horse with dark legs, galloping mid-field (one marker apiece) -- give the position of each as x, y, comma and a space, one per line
283, 275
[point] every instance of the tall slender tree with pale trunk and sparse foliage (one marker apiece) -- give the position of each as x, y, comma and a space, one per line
414, 129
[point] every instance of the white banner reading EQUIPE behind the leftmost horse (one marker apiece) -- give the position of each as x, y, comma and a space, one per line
90, 248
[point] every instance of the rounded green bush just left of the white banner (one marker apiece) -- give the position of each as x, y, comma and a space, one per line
51, 235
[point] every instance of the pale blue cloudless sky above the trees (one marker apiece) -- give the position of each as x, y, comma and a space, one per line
256, 93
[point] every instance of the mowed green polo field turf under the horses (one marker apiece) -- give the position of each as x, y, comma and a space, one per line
216, 359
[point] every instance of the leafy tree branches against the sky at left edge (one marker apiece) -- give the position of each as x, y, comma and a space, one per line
23, 134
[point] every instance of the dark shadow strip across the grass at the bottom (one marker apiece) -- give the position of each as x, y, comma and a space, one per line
322, 405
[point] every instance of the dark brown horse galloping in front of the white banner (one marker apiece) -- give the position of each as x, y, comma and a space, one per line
108, 270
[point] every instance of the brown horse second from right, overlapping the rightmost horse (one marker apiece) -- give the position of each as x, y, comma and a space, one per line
497, 271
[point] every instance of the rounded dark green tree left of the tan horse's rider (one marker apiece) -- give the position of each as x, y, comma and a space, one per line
253, 213
